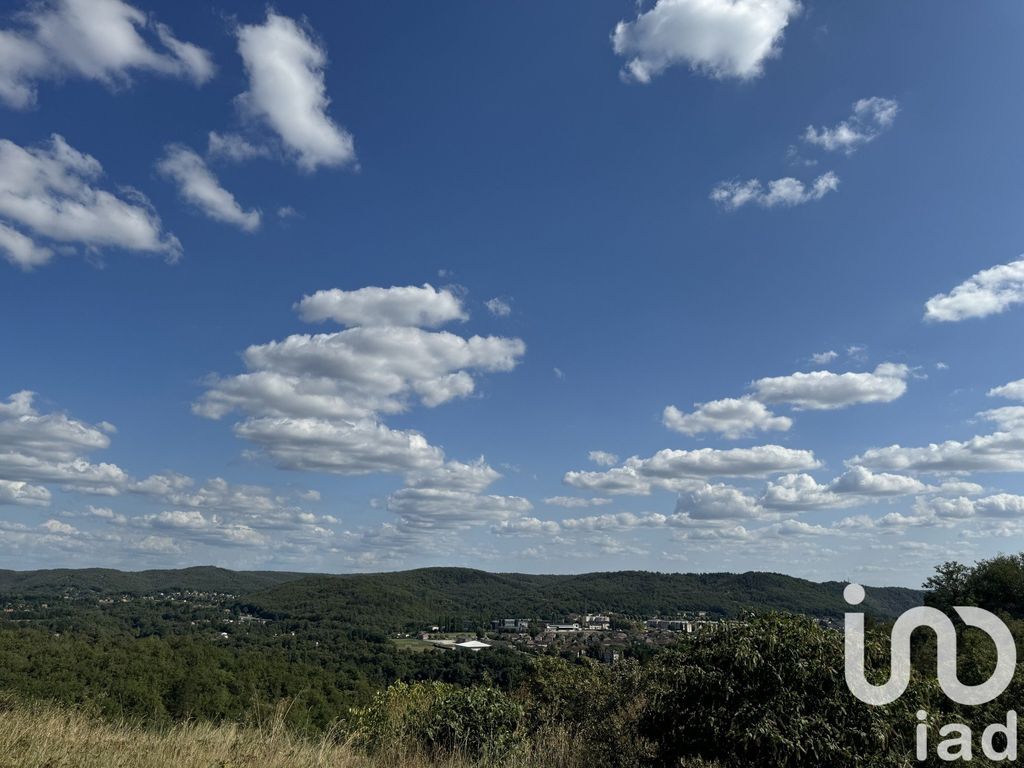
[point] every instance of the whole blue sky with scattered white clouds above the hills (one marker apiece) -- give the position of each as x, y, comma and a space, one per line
690, 286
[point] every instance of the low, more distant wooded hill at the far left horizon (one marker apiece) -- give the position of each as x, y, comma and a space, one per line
84, 582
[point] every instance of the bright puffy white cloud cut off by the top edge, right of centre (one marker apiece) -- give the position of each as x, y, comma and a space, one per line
720, 38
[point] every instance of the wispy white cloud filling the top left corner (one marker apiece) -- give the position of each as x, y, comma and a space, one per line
102, 40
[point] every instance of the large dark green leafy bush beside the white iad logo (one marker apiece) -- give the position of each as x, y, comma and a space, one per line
771, 695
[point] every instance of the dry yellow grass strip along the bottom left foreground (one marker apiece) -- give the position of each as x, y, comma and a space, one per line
40, 736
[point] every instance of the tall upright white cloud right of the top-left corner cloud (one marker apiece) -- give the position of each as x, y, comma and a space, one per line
287, 91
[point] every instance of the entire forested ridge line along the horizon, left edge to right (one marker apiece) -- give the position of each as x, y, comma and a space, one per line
404, 601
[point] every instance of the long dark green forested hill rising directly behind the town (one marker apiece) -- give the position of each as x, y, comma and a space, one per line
407, 600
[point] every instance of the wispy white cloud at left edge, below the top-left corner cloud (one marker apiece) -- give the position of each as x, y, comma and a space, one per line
50, 191
